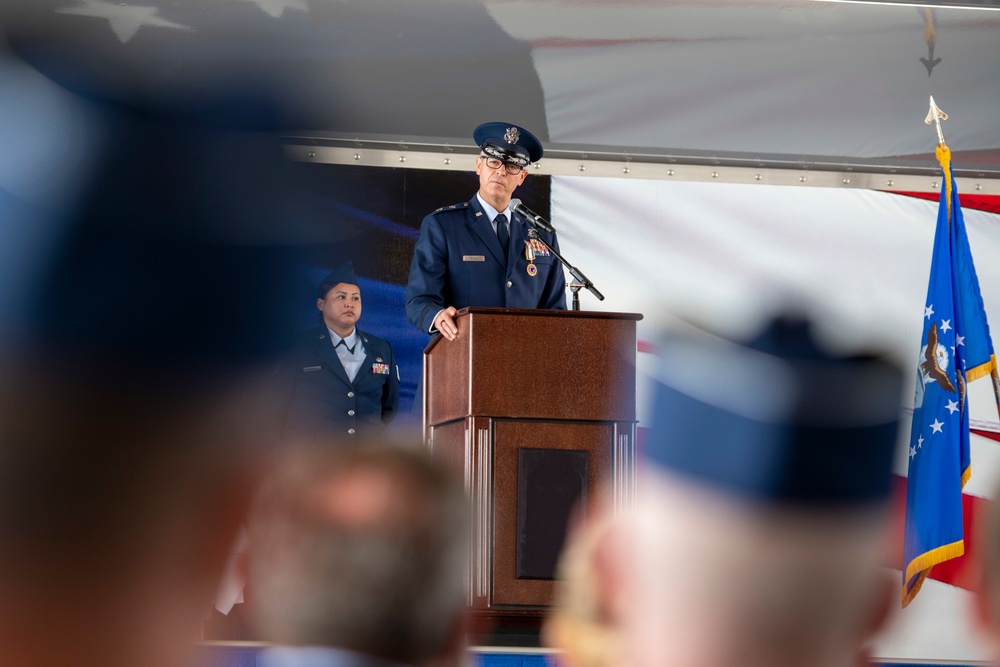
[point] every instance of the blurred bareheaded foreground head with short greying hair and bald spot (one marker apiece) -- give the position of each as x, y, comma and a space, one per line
361, 549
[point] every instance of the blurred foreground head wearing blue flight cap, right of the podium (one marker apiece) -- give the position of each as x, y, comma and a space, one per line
761, 521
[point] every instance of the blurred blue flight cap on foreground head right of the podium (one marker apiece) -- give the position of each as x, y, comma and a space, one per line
777, 420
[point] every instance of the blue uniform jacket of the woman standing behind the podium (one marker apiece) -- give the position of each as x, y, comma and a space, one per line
325, 404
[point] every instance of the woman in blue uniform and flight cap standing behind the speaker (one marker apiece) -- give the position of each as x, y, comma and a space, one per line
346, 384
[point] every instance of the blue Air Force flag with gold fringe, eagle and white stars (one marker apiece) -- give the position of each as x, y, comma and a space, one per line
955, 349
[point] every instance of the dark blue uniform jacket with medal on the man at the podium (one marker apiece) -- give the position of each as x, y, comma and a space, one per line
458, 262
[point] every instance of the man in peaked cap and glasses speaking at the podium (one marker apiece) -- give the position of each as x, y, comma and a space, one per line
479, 253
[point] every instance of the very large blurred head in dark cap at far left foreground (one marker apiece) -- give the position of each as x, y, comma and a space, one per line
138, 323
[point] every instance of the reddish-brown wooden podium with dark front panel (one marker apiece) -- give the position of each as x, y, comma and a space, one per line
536, 409
